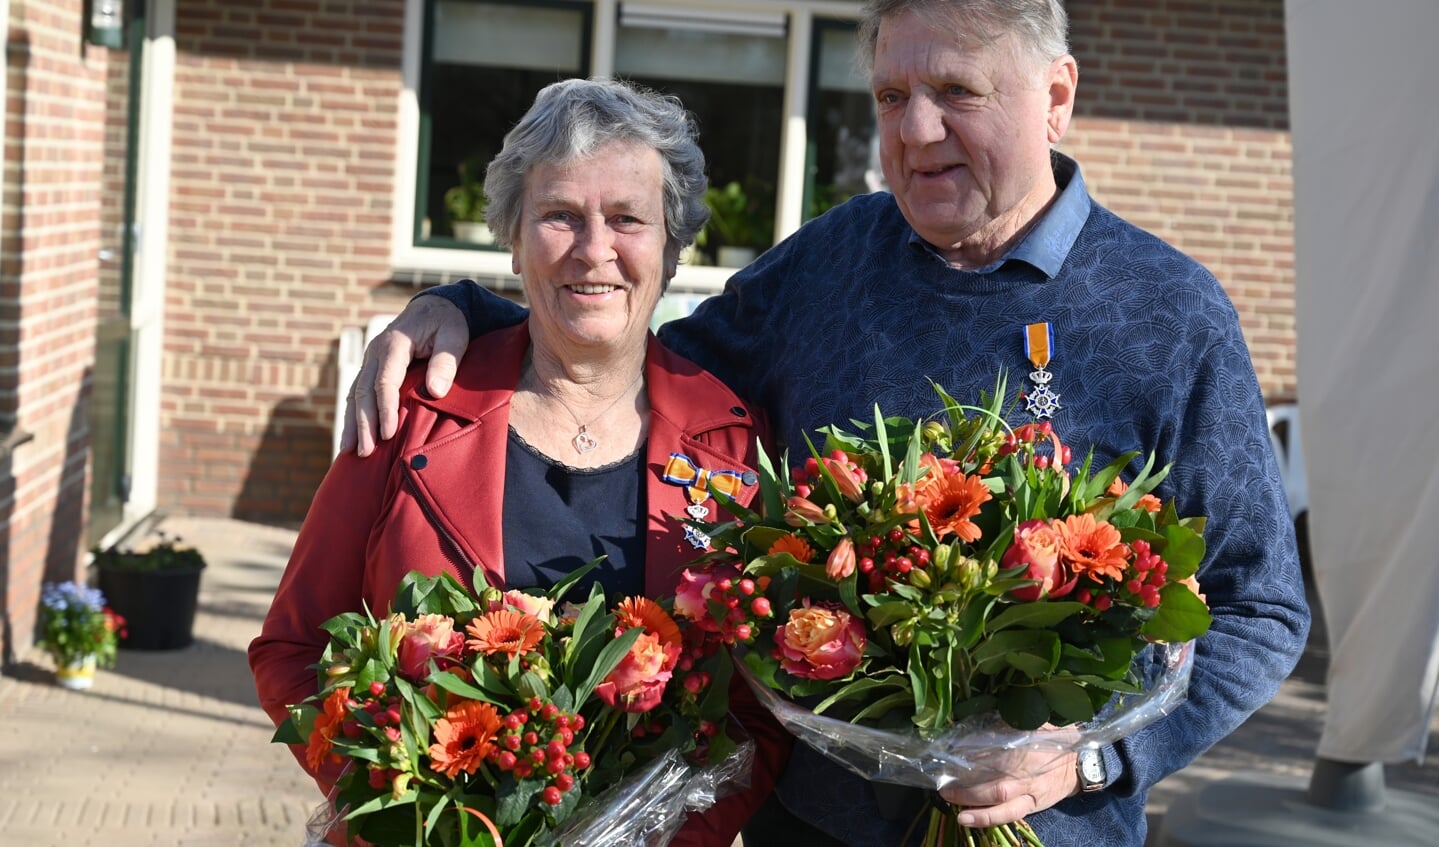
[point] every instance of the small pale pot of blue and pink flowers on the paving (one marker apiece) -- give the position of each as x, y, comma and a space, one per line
78, 631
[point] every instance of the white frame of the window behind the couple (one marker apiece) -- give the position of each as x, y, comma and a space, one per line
494, 268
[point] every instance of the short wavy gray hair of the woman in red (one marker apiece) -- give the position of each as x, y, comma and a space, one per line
573, 119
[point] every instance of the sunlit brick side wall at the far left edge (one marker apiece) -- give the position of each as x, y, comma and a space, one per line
54, 152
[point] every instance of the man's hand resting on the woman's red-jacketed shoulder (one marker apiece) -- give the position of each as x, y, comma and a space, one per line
428, 327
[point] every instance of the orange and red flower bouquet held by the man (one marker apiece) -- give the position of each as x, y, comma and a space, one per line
923, 599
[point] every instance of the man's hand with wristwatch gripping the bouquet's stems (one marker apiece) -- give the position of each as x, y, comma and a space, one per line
1037, 782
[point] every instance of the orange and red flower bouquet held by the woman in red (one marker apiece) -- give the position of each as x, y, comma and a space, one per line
483, 723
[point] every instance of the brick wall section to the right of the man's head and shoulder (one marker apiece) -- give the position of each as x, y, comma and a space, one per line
1182, 127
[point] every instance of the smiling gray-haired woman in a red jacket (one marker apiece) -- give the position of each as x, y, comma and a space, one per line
553, 447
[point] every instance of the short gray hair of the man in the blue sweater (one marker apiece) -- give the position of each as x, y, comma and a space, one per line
1041, 27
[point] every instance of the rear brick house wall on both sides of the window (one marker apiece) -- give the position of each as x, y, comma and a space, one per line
284, 149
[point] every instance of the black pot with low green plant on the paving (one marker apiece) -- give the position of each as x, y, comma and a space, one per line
156, 586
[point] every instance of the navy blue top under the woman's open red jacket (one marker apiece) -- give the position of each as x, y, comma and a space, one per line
553, 511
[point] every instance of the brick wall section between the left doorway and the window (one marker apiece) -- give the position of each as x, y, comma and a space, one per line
283, 180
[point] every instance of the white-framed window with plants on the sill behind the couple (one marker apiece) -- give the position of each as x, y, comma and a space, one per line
785, 120
